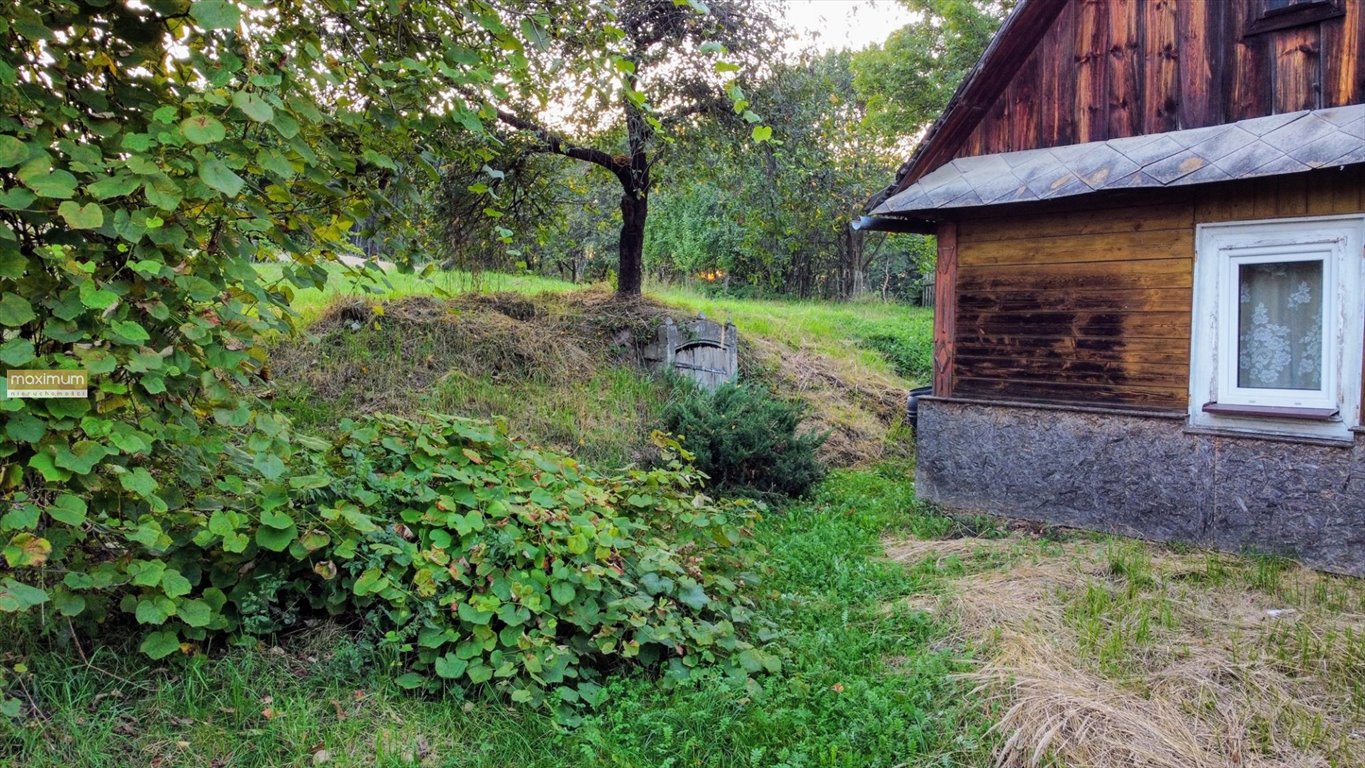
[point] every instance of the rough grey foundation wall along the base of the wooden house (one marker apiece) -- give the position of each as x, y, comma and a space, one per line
1146, 477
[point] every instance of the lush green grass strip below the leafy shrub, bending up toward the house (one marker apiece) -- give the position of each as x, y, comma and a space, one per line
866, 681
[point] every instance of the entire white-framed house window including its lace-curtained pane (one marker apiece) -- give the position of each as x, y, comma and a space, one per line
1280, 327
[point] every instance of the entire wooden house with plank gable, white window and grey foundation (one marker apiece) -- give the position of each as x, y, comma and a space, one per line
1150, 308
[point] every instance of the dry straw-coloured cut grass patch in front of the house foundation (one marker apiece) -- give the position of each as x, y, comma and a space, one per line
1113, 653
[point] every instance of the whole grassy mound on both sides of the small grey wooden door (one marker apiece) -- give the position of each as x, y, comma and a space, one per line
564, 369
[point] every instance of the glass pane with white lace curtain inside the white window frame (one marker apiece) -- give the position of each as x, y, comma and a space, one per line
1281, 327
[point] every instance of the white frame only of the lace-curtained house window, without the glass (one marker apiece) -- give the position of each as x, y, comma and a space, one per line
1221, 250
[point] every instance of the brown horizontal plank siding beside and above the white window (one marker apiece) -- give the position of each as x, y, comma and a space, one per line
1089, 302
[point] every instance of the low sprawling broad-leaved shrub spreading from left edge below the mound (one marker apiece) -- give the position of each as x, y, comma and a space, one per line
481, 560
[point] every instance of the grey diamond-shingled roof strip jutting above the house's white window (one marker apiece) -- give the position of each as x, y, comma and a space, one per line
1262, 147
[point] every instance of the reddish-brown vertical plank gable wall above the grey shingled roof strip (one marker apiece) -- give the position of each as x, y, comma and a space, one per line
1112, 69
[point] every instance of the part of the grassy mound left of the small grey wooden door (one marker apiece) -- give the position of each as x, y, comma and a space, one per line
559, 368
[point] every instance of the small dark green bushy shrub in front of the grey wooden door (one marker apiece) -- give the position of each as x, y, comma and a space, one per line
745, 439
